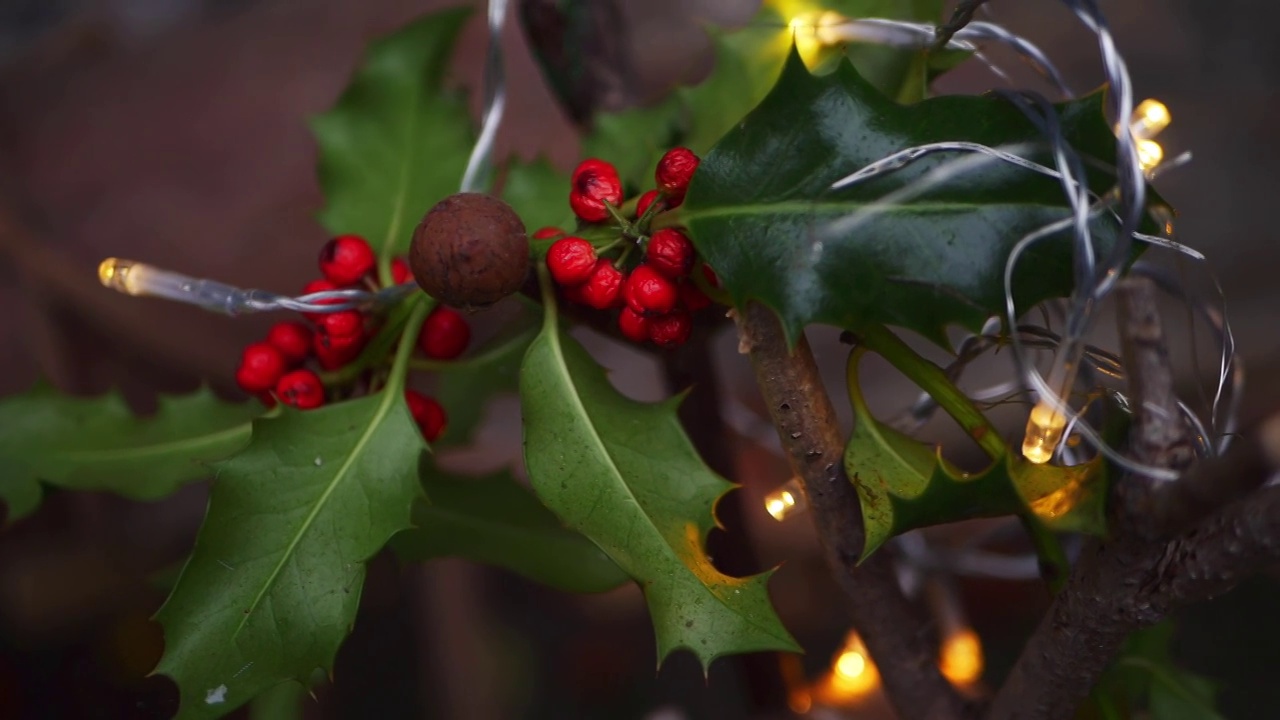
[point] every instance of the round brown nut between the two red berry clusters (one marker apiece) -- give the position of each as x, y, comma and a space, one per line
470, 250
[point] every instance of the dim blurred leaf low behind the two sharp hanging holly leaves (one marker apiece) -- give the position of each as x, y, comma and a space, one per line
499, 522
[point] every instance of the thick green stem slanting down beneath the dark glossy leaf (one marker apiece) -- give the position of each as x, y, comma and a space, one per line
931, 379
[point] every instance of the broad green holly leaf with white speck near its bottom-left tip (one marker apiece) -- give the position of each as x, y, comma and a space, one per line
272, 587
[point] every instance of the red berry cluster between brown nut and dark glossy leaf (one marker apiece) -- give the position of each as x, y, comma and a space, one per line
656, 294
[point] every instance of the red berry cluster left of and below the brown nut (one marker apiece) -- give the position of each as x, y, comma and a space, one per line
276, 370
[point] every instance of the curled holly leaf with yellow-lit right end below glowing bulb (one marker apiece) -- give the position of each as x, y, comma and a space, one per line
904, 485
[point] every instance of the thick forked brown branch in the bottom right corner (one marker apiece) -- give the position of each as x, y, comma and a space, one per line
1144, 571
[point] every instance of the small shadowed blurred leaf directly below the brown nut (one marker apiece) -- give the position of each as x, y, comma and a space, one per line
467, 386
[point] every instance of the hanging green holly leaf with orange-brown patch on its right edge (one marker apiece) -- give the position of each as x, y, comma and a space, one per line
624, 475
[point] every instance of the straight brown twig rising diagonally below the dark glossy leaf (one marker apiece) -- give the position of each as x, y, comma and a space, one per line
807, 426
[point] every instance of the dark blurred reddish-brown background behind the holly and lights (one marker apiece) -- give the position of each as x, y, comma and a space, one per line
175, 133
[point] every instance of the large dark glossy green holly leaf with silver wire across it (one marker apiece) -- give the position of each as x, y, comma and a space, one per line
760, 199
